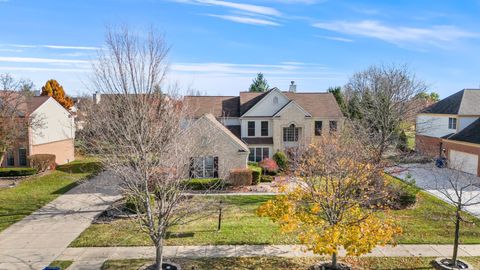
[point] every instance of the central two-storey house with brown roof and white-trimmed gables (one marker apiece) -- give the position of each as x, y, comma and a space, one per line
264, 122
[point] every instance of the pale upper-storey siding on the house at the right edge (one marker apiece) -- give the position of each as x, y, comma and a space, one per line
433, 126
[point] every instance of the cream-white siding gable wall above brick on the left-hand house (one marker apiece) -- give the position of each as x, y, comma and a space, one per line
56, 123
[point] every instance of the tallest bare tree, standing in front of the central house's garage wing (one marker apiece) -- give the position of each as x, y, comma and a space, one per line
139, 131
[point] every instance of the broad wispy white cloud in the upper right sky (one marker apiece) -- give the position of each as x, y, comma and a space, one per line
435, 35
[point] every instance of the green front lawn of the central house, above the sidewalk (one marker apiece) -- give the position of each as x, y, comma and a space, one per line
428, 222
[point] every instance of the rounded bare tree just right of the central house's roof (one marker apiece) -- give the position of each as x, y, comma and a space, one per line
385, 96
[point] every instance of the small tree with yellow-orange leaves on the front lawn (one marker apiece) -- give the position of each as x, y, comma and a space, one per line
332, 205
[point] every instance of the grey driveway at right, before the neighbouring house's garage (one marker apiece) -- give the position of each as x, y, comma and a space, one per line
442, 182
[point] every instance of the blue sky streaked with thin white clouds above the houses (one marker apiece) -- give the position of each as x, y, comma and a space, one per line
219, 46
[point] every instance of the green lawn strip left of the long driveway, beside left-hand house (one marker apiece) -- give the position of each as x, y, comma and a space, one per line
36, 191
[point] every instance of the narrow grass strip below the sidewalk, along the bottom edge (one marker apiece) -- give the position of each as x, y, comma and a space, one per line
393, 263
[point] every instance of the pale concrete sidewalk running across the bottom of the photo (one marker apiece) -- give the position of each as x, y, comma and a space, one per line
93, 258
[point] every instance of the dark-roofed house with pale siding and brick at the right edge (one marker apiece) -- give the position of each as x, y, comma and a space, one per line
451, 128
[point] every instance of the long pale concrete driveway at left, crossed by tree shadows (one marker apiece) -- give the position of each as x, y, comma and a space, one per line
39, 238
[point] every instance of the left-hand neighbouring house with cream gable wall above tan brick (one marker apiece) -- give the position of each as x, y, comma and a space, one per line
54, 135
